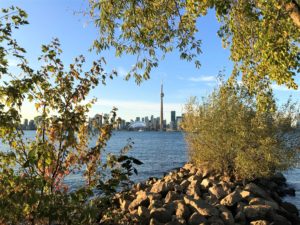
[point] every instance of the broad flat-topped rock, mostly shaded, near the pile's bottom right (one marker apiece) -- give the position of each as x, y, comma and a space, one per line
257, 212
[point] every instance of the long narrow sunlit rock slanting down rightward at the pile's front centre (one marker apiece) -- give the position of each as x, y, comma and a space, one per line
201, 206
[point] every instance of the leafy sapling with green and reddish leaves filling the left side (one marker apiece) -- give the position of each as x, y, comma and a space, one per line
32, 172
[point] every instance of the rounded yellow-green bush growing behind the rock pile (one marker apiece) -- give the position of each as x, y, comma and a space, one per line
227, 132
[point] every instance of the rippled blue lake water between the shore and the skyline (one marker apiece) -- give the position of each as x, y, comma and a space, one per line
161, 152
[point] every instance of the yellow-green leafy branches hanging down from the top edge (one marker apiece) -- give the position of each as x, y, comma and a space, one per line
263, 36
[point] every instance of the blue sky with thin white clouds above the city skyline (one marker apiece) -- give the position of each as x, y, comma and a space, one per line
62, 19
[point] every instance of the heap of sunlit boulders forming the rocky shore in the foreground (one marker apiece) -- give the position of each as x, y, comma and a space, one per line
195, 196
